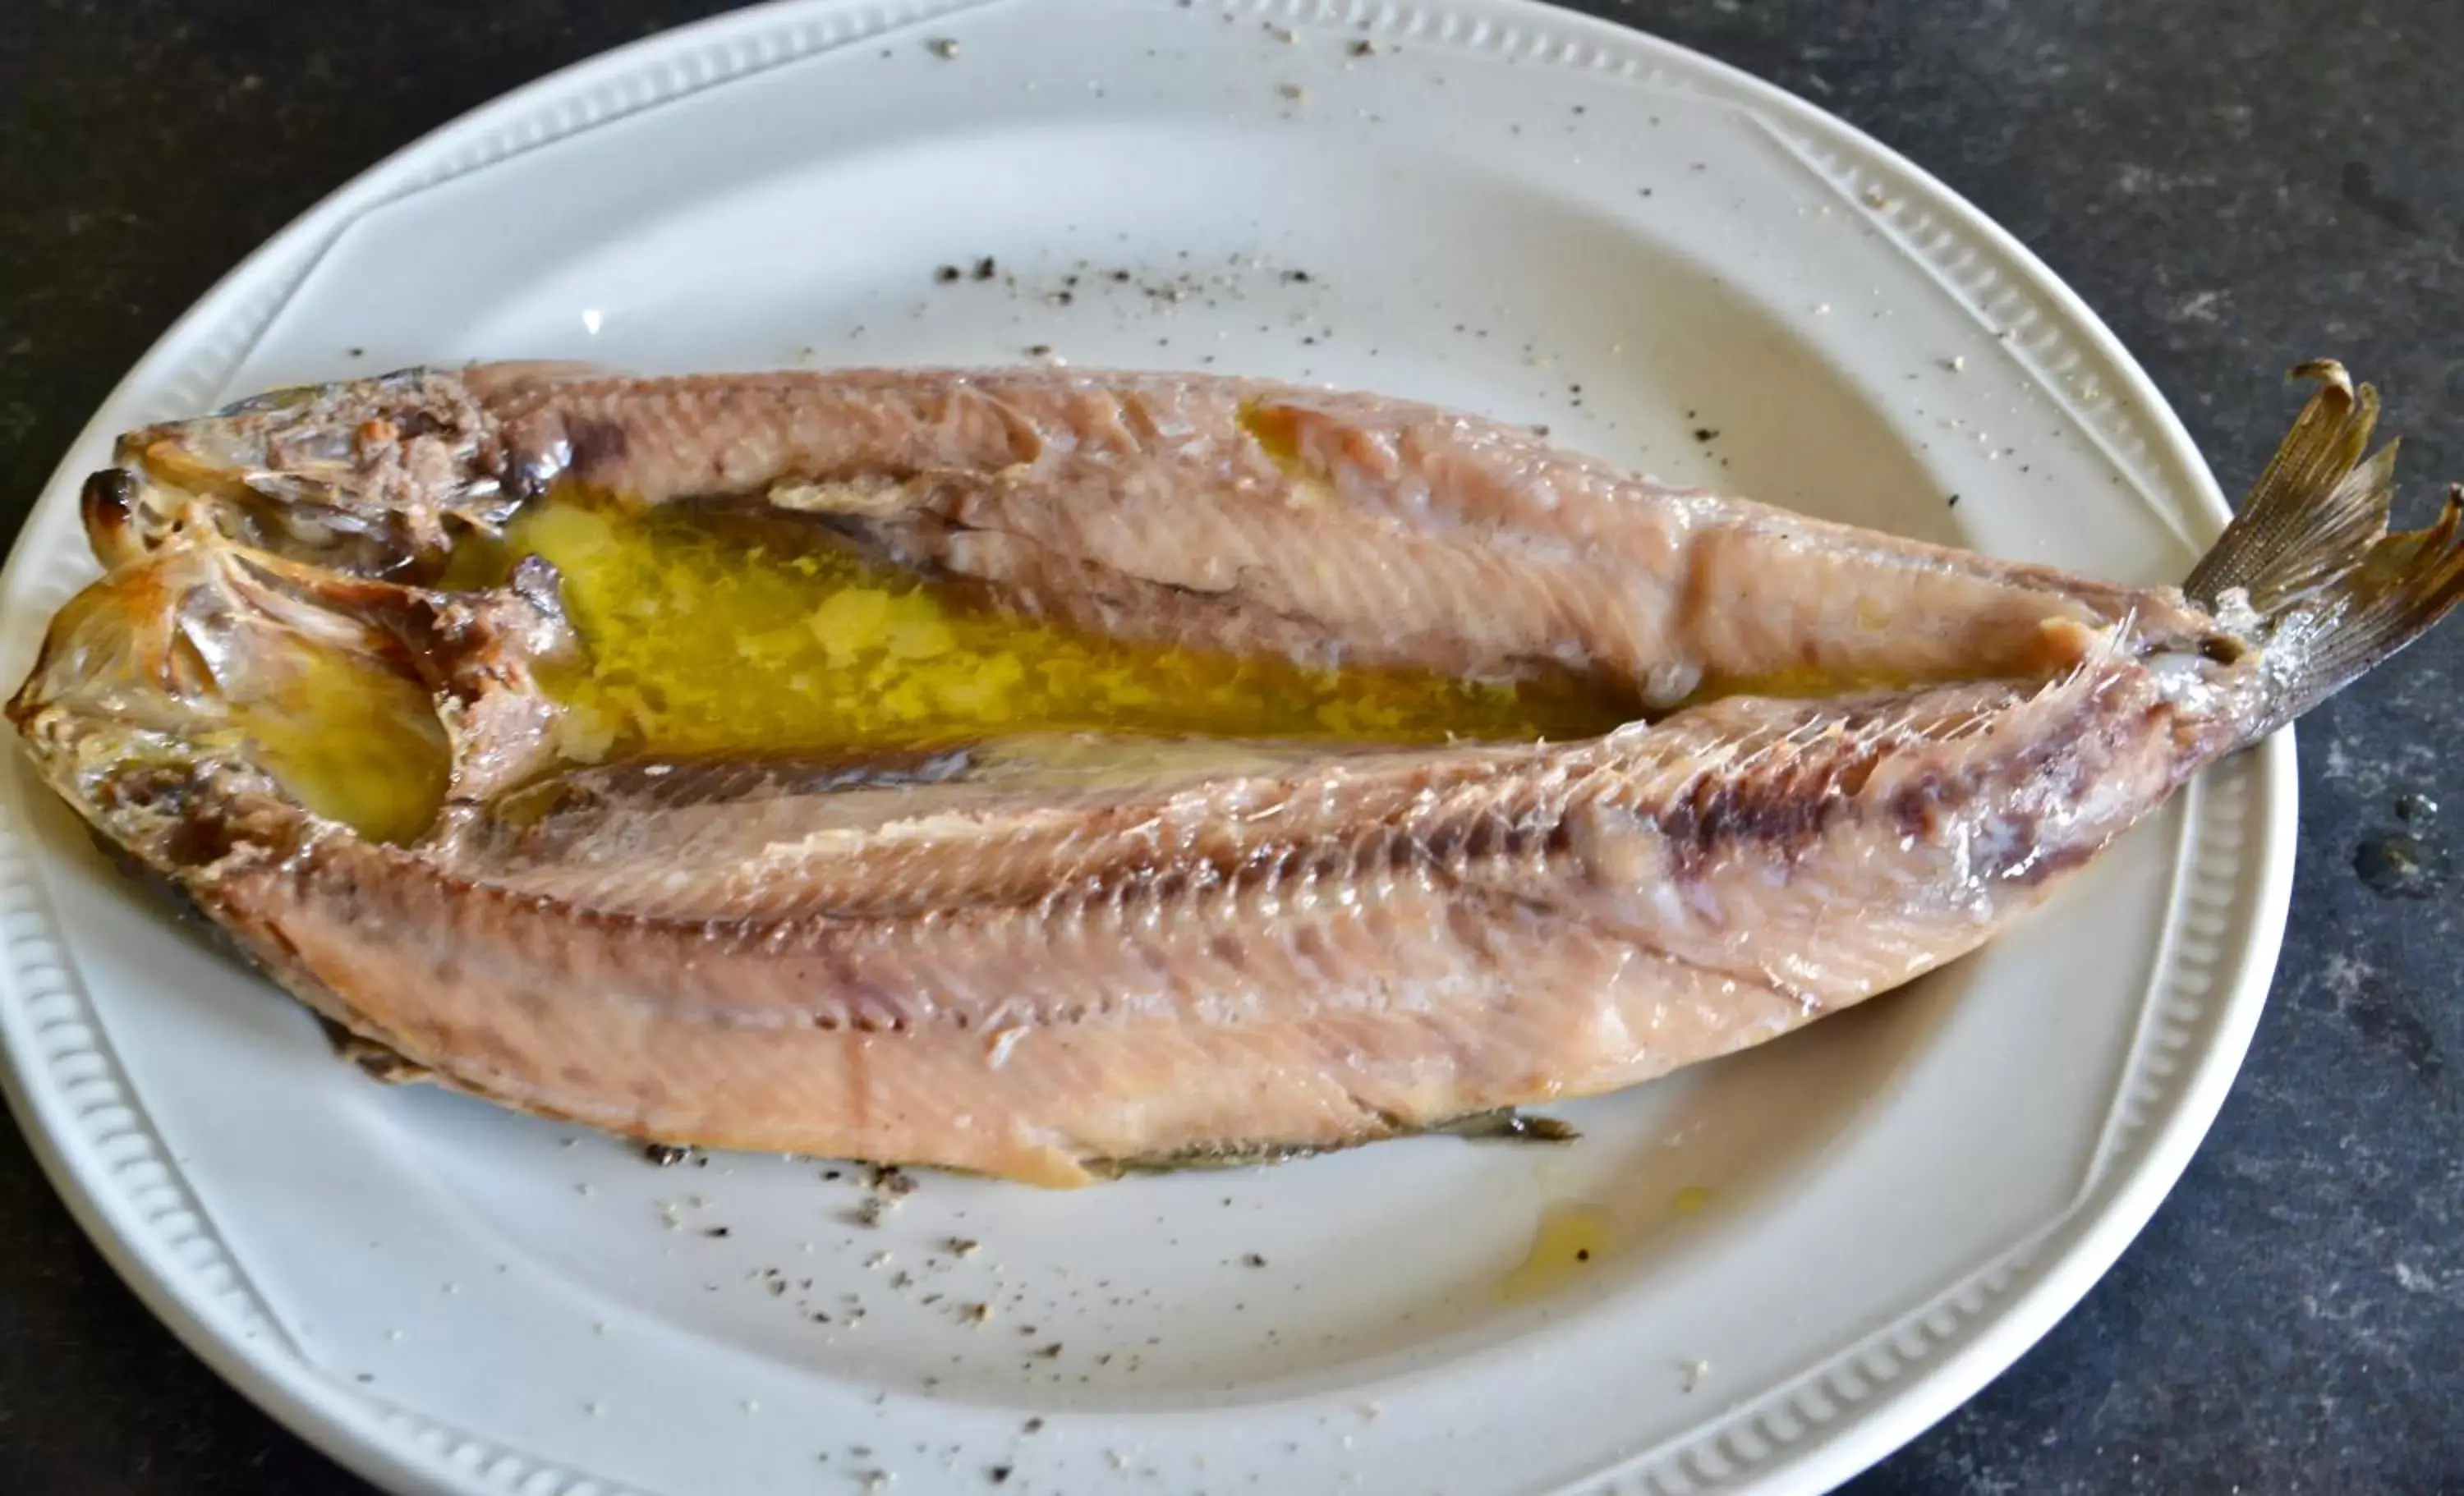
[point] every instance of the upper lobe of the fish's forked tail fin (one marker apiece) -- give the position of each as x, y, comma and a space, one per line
2315, 514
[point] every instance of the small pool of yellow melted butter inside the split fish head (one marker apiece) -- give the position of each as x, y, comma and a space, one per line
349, 738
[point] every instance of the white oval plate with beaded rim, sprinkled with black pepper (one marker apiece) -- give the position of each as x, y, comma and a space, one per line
1812, 1251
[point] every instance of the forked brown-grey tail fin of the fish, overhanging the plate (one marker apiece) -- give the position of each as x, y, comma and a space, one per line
2310, 573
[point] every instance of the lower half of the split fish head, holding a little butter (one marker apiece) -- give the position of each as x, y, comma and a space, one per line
356, 699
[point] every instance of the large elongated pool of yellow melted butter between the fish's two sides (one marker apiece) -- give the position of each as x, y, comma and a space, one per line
745, 635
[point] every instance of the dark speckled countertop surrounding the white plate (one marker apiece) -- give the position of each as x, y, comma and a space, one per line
2231, 186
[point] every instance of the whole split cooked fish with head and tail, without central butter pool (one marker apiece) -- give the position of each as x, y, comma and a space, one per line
1044, 955
